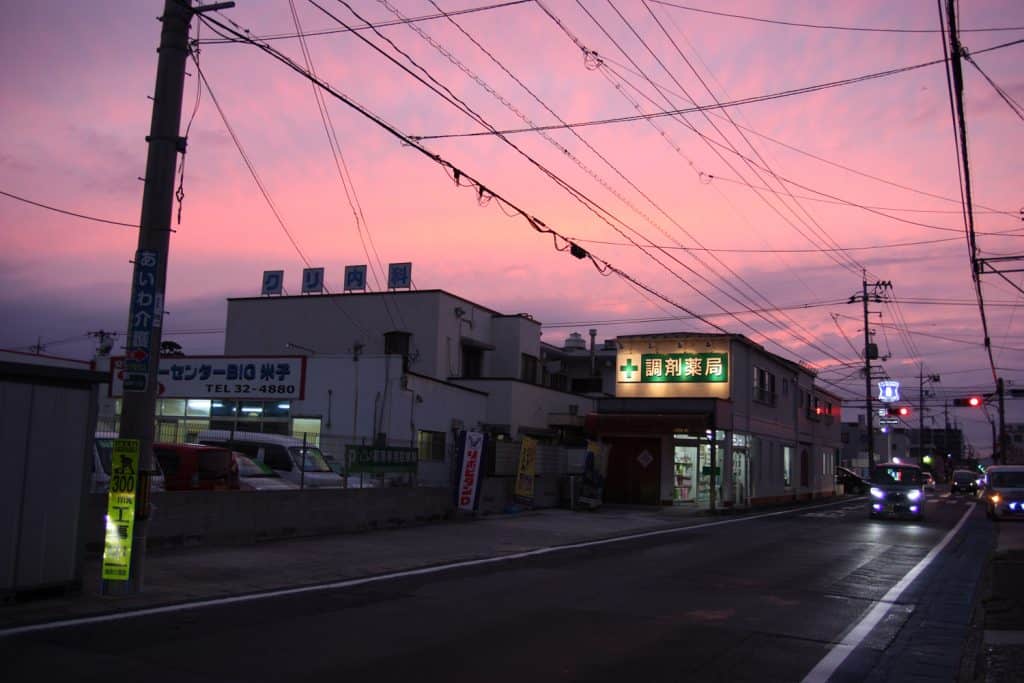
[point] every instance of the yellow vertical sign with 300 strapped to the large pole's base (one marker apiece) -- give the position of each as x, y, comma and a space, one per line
121, 509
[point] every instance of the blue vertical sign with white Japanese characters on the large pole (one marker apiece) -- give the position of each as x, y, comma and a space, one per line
147, 313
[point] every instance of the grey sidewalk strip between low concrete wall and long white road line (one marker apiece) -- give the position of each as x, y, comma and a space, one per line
191, 575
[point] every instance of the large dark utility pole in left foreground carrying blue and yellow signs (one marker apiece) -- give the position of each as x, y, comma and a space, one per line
150, 274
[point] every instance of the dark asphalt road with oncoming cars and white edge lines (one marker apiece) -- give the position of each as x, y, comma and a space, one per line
816, 594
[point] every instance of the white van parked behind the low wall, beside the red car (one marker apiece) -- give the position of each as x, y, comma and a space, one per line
305, 467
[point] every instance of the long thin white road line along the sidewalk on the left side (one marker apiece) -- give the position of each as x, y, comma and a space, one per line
188, 607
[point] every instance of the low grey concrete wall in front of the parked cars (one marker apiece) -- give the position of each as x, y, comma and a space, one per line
228, 518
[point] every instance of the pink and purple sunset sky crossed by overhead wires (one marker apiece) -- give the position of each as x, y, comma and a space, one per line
759, 219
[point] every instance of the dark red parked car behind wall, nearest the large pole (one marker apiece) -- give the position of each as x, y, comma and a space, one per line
195, 467
